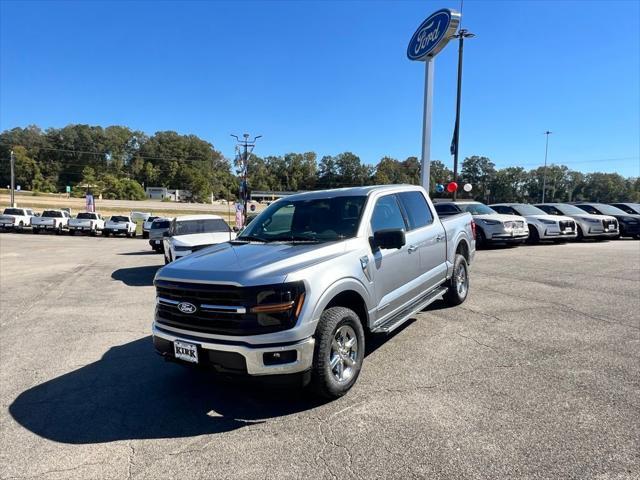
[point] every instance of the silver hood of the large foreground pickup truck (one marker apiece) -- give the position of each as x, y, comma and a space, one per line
249, 263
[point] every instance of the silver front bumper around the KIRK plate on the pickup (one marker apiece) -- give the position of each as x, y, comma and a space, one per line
227, 357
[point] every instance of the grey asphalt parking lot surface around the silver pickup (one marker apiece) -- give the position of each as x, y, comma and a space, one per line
535, 376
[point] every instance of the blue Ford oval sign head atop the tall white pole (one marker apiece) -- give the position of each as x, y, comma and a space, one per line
433, 34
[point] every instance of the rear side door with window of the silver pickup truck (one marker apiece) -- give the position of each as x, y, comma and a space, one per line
426, 235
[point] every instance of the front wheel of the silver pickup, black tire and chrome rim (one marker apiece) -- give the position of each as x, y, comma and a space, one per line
324, 380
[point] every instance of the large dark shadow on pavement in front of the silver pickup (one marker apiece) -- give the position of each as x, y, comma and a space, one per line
131, 393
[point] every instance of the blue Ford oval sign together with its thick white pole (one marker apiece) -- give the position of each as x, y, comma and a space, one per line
430, 38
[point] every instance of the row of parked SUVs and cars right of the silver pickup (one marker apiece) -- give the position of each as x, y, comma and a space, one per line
518, 222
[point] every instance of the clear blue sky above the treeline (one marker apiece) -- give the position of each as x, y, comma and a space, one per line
333, 76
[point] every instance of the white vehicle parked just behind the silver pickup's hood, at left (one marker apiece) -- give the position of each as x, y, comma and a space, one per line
190, 233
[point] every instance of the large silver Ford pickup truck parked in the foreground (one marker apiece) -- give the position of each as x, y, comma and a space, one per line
296, 291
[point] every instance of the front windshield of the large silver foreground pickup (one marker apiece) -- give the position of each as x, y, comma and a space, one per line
321, 219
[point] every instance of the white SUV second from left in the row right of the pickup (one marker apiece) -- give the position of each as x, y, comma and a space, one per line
542, 226
